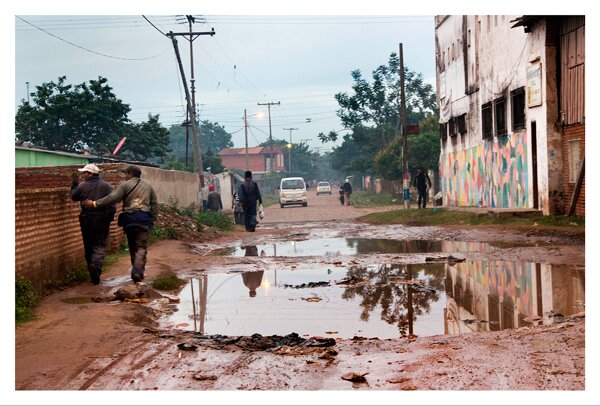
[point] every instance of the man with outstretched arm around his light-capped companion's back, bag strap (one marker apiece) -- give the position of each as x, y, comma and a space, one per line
140, 206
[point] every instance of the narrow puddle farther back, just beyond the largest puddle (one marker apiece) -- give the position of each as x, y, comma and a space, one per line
354, 246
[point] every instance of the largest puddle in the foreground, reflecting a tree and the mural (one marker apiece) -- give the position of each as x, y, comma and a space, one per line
381, 300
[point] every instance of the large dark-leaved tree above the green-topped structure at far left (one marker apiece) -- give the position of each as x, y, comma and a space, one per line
73, 118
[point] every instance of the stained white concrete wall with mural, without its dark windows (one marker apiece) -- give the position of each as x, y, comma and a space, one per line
490, 60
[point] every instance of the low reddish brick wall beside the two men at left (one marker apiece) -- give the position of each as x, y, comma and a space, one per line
47, 234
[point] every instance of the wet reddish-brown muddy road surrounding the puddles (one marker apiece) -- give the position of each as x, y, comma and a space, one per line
77, 344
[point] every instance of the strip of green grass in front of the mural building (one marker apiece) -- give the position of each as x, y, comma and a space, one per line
435, 217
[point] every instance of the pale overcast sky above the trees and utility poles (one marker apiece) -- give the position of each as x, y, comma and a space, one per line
300, 61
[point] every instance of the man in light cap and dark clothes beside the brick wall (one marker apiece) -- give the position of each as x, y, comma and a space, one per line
94, 222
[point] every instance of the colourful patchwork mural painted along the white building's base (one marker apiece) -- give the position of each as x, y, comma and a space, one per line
493, 174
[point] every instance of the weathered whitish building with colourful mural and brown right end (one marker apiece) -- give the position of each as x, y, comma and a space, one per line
511, 92
